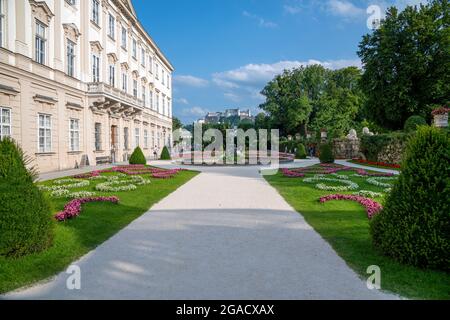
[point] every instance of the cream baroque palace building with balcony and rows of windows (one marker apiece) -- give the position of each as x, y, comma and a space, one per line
81, 82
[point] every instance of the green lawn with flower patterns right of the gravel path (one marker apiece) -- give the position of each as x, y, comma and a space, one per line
344, 224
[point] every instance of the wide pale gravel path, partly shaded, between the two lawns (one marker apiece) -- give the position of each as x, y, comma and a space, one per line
226, 234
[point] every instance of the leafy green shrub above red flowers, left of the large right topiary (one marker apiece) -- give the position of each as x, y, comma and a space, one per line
371, 146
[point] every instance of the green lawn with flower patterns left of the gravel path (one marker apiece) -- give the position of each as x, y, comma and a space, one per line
96, 223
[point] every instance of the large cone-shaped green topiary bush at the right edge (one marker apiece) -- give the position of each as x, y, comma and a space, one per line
414, 226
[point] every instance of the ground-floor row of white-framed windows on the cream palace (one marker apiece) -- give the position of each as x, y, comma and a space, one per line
45, 133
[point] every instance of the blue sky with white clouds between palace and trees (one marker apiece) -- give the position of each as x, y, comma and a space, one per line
225, 51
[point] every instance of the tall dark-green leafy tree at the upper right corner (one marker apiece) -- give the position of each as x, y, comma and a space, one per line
407, 63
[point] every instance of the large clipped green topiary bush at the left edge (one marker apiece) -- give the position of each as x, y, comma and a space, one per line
26, 224
